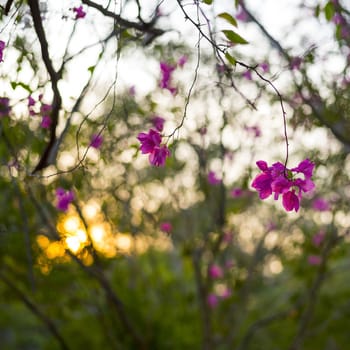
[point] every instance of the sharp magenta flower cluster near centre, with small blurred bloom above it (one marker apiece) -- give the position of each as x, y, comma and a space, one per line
151, 143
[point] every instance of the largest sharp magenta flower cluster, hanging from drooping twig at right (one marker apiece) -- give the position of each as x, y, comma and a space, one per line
280, 180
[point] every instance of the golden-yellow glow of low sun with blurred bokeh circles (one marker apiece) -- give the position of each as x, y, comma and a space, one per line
79, 234
